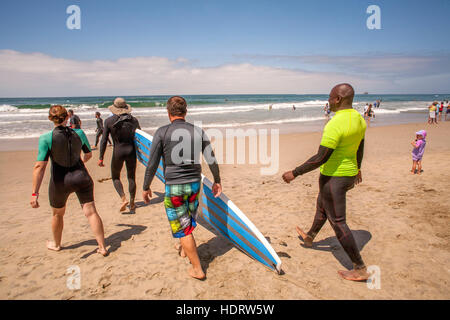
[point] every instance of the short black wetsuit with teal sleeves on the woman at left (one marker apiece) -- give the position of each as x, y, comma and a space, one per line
68, 174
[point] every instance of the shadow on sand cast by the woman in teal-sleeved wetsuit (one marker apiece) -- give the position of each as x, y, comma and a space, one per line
114, 241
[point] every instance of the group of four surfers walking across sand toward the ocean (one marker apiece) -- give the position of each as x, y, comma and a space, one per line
339, 157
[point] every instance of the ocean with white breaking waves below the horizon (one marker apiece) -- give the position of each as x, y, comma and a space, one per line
22, 118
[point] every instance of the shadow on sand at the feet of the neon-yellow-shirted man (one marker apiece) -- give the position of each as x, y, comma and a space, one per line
331, 244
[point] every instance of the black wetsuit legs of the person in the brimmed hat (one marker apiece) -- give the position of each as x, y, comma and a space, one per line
124, 153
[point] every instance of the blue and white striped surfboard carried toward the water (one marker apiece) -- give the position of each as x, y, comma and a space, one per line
220, 213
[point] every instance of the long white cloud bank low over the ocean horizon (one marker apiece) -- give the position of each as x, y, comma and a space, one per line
37, 74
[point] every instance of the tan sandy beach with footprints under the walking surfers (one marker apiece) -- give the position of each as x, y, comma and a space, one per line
400, 221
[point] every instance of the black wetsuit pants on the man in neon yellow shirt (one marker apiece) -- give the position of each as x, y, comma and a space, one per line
331, 205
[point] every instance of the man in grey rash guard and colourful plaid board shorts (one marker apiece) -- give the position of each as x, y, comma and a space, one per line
182, 171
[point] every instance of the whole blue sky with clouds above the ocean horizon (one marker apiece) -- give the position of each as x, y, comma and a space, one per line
144, 47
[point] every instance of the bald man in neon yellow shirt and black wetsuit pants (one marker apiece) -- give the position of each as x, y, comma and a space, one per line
339, 157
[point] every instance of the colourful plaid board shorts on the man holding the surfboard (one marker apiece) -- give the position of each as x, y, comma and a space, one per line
181, 203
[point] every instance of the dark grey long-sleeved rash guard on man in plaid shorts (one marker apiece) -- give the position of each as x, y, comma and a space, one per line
180, 144
